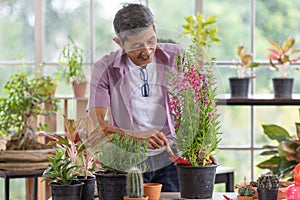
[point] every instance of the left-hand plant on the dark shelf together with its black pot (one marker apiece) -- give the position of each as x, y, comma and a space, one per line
239, 85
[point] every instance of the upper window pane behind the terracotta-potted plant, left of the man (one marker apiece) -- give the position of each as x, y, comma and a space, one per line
63, 19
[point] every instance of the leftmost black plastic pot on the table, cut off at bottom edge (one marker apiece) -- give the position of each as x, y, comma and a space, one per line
63, 192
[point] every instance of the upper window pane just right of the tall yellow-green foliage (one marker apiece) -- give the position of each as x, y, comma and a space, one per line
234, 28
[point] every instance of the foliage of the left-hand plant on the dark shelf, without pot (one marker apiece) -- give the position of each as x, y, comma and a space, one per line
246, 61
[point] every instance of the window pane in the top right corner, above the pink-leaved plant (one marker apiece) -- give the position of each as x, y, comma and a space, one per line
275, 20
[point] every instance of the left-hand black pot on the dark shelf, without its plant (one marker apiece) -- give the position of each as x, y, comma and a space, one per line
239, 87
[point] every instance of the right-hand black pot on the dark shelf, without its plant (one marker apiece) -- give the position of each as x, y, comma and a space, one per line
283, 87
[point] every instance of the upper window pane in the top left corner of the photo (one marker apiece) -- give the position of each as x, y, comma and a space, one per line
16, 29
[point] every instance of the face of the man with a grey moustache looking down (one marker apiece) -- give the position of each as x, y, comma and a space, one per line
140, 48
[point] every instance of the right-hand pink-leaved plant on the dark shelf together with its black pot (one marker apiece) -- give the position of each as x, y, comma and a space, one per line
283, 55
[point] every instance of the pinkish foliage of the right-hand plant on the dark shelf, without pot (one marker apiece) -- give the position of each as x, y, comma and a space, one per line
283, 55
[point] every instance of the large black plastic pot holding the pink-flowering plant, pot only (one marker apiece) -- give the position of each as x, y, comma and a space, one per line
196, 182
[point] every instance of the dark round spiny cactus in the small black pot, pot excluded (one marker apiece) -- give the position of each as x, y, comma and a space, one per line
268, 181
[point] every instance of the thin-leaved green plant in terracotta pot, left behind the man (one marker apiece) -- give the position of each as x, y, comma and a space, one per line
72, 57
